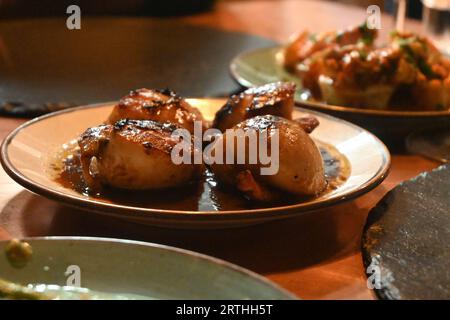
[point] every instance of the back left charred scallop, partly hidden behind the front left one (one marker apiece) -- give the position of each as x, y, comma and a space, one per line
156, 105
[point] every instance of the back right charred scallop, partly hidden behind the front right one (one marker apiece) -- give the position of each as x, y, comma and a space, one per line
274, 98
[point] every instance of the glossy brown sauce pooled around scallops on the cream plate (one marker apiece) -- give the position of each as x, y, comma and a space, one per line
206, 194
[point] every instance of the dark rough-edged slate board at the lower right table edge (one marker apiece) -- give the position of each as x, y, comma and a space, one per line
408, 236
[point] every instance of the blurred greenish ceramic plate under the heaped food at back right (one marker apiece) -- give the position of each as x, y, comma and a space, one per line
263, 66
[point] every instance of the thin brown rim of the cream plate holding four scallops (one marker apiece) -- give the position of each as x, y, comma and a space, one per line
119, 210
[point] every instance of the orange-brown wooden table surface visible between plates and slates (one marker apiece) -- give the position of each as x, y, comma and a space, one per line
316, 256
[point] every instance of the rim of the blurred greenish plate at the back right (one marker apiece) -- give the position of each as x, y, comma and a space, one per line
320, 106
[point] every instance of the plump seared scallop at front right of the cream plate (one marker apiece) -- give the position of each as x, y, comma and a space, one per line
300, 165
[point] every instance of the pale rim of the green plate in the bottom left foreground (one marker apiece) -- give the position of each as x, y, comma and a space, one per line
184, 252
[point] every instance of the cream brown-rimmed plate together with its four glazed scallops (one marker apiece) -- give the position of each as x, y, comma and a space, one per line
160, 159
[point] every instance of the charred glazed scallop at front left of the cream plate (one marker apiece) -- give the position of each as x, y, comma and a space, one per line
132, 154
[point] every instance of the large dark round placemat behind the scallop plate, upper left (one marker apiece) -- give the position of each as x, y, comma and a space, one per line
44, 66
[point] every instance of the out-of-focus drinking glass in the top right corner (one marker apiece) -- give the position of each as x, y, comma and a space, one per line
436, 23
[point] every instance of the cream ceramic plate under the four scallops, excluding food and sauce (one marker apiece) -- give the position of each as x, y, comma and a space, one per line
28, 154
